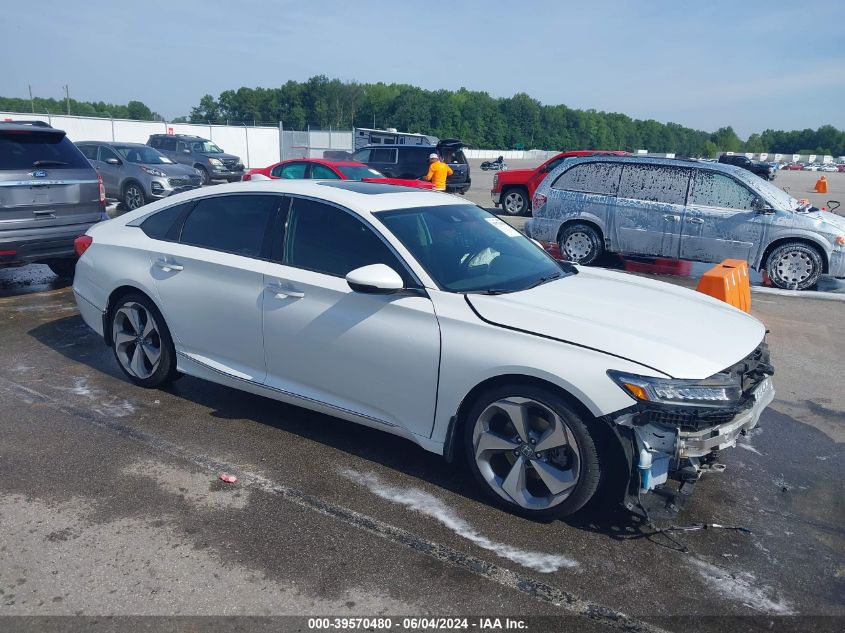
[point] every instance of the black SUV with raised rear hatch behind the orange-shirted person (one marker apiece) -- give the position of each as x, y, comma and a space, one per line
411, 161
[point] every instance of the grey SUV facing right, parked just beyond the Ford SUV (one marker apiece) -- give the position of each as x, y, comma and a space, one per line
136, 174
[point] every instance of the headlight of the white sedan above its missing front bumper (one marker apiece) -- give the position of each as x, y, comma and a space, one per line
720, 390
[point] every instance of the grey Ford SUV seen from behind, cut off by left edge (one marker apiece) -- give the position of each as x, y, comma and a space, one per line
49, 195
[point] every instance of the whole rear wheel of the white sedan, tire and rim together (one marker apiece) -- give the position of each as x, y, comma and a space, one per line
142, 343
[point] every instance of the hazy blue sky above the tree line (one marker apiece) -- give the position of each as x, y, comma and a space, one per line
753, 64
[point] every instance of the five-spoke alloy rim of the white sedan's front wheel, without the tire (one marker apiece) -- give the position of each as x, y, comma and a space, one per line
526, 453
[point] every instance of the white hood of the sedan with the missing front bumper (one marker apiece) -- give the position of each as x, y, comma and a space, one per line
679, 332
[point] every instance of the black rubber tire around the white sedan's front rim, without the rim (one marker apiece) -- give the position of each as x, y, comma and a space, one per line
590, 467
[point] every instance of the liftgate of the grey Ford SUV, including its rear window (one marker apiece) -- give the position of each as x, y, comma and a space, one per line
45, 181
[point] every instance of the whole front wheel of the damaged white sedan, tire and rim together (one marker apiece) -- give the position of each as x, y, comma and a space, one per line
531, 452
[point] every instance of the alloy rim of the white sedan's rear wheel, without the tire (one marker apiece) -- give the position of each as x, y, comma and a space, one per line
137, 340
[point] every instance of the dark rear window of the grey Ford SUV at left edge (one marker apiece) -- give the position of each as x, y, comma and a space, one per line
25, 150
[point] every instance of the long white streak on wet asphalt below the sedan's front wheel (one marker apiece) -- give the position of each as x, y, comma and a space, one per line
429, 505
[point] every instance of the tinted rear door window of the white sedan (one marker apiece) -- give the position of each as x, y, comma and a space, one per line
232, 224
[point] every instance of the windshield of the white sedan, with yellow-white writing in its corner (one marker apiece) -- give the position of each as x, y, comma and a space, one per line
466, 249
